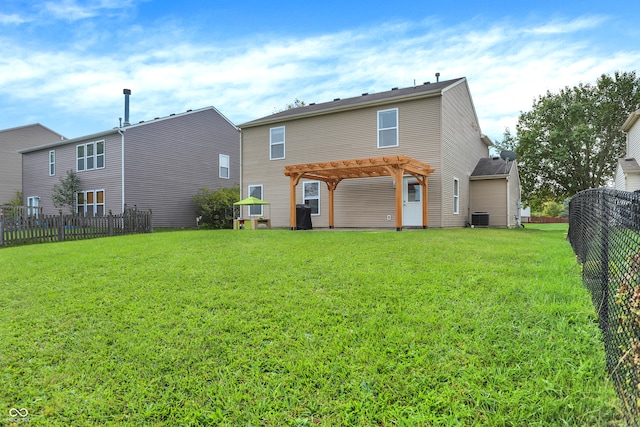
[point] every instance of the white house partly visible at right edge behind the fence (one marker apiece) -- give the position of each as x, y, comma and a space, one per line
628, 171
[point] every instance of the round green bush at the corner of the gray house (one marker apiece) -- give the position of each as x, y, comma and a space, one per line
215, 209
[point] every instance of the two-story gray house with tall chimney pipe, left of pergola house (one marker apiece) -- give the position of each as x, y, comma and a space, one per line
159, 165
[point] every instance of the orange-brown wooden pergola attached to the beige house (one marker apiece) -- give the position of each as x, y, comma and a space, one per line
333, 172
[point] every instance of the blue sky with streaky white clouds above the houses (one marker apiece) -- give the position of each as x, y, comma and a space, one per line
64, 63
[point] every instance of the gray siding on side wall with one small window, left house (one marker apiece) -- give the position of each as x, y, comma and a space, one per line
168, 161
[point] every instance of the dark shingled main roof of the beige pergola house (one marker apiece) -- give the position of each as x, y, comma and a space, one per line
415, 92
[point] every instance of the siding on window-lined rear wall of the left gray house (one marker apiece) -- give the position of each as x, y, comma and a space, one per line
37, 182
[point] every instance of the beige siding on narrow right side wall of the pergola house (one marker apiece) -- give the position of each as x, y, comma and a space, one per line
462, 146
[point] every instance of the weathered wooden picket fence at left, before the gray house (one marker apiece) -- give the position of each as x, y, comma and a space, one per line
40, 228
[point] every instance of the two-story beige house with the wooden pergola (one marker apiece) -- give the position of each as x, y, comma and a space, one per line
428, 135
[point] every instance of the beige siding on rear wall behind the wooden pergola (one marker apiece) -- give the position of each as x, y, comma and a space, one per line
364, 202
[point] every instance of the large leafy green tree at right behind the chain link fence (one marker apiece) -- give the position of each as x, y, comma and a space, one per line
570, 141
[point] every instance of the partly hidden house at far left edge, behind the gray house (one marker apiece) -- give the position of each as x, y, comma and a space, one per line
12, 140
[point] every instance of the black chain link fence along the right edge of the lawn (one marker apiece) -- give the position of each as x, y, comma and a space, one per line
604, 231
